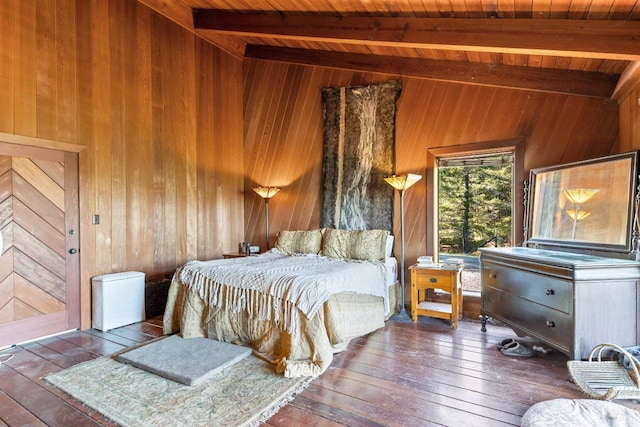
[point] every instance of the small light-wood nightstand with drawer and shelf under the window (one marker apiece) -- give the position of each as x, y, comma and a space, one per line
424, 279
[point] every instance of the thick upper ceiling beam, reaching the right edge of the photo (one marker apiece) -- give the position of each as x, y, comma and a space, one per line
601, 39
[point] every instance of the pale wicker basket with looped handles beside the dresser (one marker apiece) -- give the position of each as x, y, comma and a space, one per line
606, 379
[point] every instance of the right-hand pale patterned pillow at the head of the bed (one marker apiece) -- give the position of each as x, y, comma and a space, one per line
355, 244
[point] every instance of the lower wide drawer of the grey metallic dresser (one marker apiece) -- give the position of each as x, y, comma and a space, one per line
554, 326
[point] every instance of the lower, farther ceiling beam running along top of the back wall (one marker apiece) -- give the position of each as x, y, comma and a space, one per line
590, 84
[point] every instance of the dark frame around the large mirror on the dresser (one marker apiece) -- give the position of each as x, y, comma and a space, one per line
631, 232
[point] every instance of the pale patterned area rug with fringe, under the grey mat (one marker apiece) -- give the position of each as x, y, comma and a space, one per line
245, 394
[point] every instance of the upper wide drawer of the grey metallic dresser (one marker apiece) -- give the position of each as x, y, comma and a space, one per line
548, 291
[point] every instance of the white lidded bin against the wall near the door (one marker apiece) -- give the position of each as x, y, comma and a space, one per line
118, 299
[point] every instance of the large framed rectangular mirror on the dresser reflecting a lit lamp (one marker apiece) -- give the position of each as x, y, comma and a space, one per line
588, 204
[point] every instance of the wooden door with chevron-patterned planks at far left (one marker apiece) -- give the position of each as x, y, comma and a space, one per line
39, 261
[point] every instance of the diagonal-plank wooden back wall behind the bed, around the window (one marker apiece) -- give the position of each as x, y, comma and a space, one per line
283, 137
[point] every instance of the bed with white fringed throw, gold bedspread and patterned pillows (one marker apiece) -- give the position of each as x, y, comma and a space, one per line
295, 305
